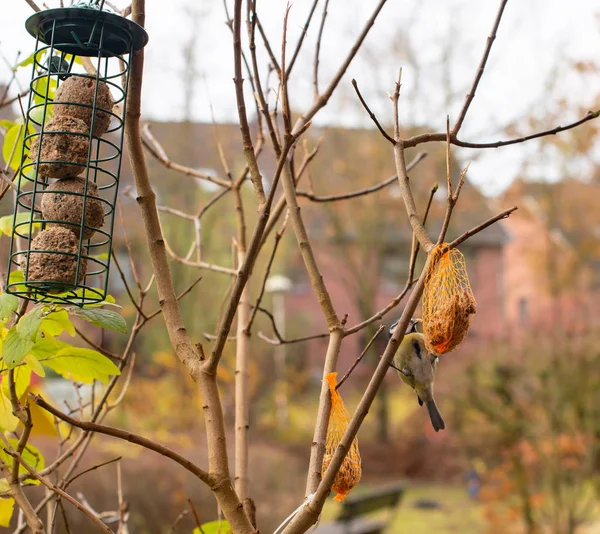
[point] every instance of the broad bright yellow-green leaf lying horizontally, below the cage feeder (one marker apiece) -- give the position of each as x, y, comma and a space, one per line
82, 365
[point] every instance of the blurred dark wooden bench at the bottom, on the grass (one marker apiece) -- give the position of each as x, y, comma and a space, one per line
354, 516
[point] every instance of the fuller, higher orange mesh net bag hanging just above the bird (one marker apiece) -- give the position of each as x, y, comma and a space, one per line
448, 301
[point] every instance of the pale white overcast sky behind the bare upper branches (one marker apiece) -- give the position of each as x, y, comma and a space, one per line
437, 42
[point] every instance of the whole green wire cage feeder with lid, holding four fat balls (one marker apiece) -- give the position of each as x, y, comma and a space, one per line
71, 154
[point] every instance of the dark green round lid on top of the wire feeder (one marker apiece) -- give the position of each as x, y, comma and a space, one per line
78, 29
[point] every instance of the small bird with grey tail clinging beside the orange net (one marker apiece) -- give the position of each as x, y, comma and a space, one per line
416, 368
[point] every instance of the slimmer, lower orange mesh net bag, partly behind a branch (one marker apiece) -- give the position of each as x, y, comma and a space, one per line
350, 472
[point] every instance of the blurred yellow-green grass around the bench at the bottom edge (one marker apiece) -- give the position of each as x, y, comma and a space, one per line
458, 514
